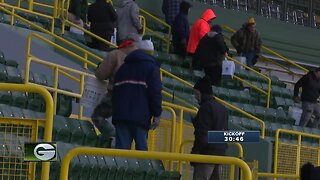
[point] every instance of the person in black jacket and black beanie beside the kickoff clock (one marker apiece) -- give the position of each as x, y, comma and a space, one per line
212, 116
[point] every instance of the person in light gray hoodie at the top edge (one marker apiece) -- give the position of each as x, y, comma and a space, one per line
128, 19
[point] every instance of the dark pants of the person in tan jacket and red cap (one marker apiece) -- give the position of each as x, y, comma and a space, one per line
101, 113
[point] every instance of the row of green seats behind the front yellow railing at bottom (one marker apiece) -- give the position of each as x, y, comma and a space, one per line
86, 167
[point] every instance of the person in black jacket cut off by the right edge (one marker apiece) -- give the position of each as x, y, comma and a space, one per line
310, 84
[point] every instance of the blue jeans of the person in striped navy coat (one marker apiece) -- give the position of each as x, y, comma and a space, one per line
125, 134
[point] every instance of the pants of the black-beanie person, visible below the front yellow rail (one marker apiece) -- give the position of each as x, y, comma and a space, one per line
206, 171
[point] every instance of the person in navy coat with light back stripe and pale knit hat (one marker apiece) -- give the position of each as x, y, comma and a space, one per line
136, 98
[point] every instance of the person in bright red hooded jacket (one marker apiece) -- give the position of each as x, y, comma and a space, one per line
200, 28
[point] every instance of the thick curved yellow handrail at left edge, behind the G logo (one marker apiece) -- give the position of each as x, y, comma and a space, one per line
49, 114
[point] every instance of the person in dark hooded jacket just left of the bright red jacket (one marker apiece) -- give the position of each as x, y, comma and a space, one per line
180, 30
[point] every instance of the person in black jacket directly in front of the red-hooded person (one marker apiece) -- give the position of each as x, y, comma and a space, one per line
210, 53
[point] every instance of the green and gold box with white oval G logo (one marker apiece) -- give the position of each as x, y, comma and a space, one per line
40, 152
